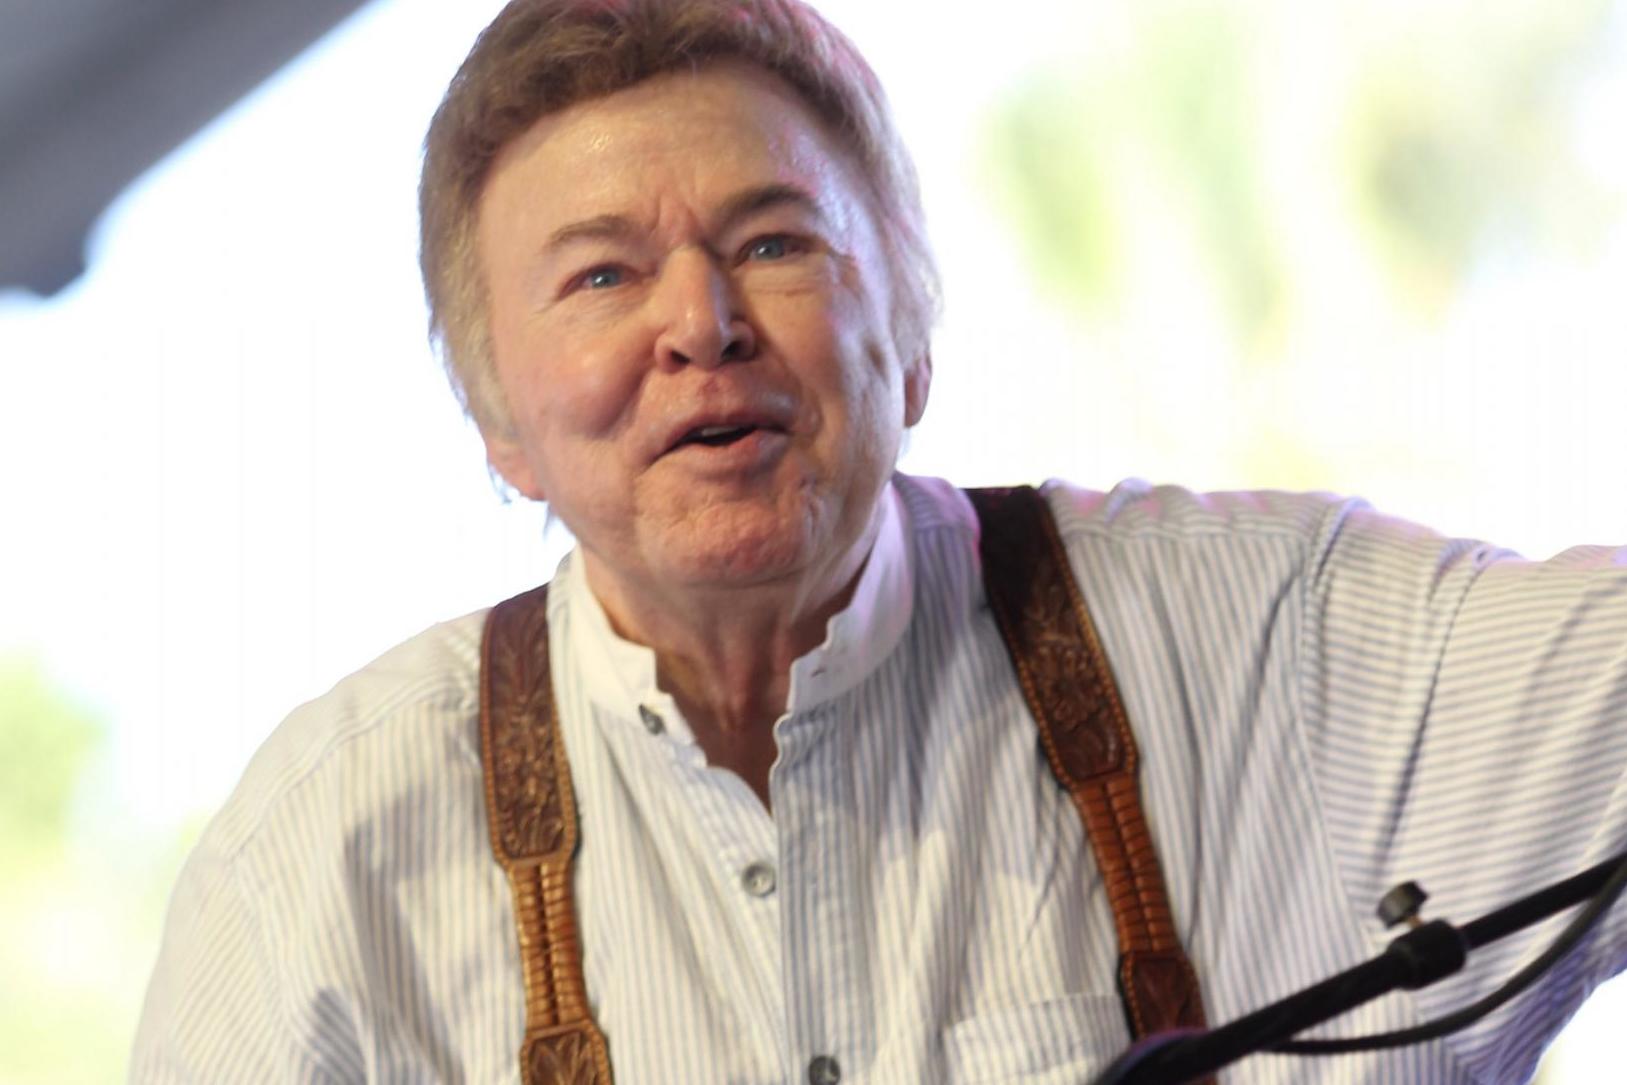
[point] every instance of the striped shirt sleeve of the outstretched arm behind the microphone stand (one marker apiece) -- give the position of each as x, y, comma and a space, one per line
1467, 720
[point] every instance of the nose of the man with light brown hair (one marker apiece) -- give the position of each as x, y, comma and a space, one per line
700, 320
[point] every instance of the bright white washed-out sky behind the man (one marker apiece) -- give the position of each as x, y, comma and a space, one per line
235, 473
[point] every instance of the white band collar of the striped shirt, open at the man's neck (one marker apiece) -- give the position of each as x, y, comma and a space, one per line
621, 676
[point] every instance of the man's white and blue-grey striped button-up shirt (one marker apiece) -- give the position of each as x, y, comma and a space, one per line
1328, 704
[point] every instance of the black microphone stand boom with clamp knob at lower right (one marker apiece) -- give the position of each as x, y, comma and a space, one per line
1428, 952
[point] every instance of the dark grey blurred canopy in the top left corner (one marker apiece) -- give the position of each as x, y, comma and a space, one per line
95, 92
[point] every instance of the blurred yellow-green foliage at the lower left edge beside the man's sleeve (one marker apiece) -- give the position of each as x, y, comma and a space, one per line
82, 900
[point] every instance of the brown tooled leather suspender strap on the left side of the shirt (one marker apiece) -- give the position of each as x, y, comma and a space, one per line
531, 809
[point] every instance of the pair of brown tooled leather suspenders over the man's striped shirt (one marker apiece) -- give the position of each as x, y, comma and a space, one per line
1066, 682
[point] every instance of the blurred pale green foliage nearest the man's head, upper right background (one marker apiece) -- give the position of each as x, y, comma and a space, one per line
1073, 149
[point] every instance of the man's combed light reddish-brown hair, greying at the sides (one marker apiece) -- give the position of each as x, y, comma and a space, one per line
543, 56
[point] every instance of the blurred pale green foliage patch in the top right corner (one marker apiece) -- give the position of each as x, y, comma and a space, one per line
1460, 137
